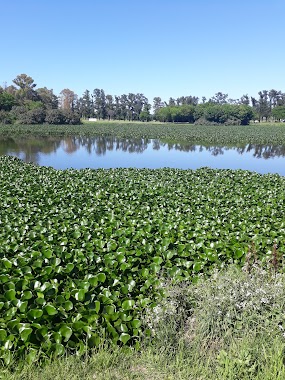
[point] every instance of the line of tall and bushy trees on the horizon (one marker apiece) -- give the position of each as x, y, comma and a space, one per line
22, 102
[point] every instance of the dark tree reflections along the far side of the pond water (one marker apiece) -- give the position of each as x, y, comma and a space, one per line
30, 148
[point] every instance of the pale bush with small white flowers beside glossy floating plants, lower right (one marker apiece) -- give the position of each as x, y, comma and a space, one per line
230, 303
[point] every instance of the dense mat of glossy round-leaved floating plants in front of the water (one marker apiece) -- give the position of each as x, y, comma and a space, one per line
84, 253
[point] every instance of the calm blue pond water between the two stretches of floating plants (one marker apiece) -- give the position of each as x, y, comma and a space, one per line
111, 152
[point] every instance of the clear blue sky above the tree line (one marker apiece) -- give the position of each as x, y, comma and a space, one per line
156, 47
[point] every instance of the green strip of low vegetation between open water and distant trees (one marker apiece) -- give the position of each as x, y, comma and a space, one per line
273, 134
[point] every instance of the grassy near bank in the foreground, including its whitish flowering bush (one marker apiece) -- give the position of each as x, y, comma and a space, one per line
199, 332
